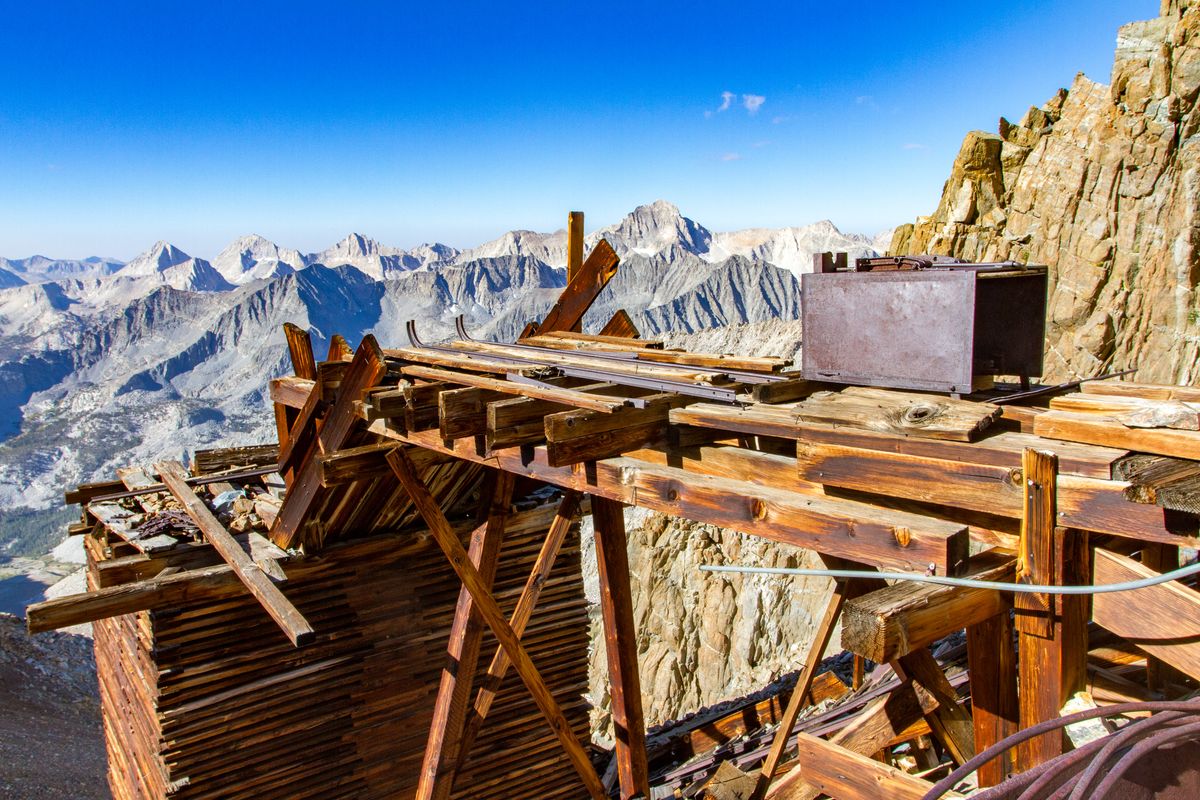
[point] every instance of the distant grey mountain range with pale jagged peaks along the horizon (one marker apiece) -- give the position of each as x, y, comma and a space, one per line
106, 364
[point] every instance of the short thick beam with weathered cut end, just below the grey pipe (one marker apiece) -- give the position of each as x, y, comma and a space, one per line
890, 623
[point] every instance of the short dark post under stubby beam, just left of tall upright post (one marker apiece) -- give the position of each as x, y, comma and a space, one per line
993, 664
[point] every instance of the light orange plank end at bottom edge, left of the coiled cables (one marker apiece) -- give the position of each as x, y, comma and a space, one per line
845, 775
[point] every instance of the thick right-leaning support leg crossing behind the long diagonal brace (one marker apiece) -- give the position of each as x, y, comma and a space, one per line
442, 748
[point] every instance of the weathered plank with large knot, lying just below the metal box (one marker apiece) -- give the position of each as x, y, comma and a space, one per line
932, 417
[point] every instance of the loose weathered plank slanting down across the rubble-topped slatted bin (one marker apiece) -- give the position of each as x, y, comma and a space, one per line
248, 572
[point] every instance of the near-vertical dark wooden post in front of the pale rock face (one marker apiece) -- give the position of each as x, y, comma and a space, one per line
621, 647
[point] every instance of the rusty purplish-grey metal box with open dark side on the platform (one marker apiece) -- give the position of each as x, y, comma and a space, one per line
922, 323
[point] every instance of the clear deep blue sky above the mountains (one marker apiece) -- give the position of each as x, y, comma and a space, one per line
123, 123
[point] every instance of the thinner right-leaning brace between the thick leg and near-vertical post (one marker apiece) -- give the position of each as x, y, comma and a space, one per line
568, 509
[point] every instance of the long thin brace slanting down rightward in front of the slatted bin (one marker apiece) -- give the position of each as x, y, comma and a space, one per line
493, 615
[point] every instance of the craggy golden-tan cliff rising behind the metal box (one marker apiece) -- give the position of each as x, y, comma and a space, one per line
1102, 184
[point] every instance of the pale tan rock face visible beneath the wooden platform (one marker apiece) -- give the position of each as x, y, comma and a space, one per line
705, 637
